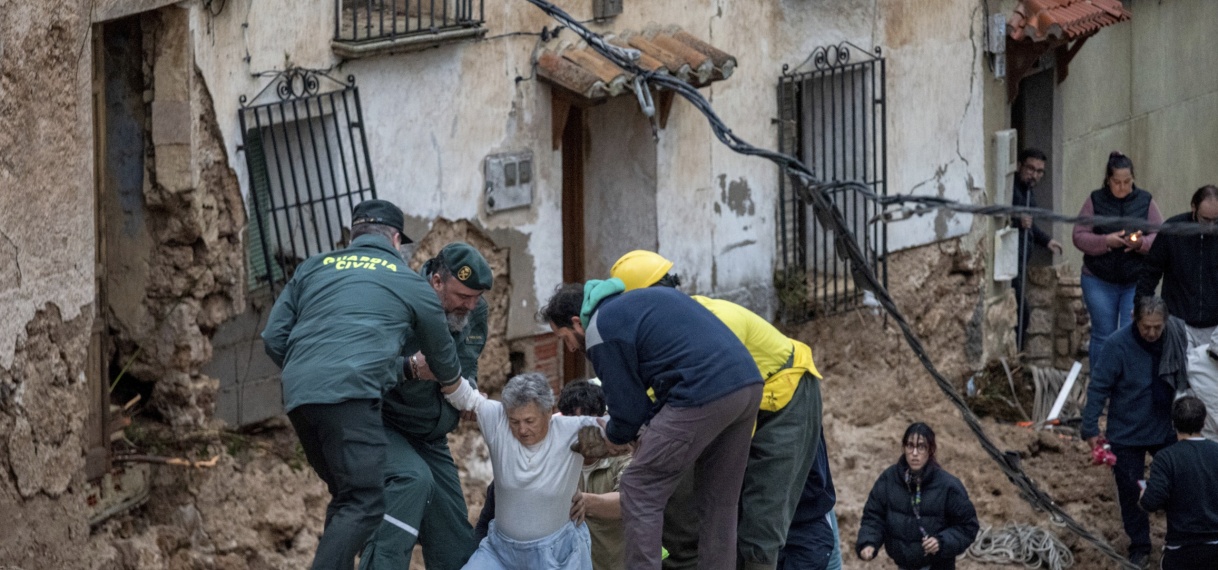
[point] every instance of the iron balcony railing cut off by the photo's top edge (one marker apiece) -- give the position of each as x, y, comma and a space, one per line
362, 21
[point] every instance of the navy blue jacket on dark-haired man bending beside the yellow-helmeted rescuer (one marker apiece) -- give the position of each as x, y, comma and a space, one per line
663, 340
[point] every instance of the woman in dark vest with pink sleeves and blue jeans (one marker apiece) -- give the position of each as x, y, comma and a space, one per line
1113, 256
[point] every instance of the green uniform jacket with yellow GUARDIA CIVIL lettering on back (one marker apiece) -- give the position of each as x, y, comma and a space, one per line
339, 326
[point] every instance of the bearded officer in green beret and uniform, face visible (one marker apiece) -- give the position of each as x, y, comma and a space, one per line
424, 502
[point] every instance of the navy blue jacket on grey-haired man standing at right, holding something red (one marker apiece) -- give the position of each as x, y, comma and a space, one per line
1139, 400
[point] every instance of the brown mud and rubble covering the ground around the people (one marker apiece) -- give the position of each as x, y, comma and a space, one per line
262, 507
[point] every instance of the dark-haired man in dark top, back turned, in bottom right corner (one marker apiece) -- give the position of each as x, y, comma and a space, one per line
1185, 483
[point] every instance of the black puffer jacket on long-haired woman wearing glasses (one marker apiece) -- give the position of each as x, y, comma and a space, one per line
945, 513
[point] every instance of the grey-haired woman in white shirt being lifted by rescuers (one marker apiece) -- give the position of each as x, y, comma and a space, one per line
538, 524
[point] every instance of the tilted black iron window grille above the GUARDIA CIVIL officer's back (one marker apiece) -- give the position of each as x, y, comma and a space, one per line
308, 158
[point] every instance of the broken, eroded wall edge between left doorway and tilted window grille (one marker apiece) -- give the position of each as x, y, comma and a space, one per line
195, 217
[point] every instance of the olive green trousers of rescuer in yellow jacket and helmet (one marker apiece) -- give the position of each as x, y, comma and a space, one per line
781, 455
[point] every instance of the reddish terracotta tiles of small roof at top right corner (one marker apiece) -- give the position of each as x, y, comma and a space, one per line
1055, 20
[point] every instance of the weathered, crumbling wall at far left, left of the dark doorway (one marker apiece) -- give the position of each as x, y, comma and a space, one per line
46, 280
